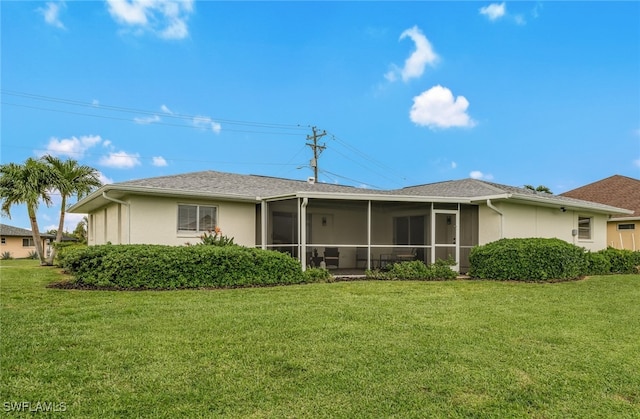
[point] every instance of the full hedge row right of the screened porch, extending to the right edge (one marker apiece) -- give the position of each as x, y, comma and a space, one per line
538, 259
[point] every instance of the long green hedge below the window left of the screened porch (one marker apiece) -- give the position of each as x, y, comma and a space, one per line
171, 267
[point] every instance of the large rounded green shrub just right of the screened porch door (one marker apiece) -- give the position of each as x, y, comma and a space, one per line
532, 259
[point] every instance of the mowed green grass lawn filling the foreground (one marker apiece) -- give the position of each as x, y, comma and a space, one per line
348, 349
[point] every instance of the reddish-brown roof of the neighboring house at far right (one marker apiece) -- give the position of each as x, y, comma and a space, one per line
618, 191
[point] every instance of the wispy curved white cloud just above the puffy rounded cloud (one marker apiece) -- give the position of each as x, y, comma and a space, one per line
414, 65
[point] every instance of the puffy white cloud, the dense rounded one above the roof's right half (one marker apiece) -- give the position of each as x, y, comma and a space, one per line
437, 108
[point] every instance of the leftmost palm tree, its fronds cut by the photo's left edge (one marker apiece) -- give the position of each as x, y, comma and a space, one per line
27, 184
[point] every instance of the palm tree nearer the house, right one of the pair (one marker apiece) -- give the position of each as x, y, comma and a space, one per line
70, 178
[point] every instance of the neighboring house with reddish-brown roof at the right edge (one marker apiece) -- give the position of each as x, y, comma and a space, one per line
623, 230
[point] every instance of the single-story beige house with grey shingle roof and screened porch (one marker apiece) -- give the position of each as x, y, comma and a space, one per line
427, 222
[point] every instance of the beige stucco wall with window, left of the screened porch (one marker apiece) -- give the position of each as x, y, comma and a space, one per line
153, 220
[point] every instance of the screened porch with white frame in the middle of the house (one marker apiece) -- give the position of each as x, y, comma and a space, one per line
358, 233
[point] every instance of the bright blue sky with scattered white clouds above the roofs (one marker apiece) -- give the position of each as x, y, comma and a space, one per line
540, 93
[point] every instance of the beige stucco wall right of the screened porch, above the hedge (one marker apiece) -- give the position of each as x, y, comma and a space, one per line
521, 221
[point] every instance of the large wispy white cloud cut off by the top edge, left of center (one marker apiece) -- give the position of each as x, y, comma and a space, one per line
165, 18
